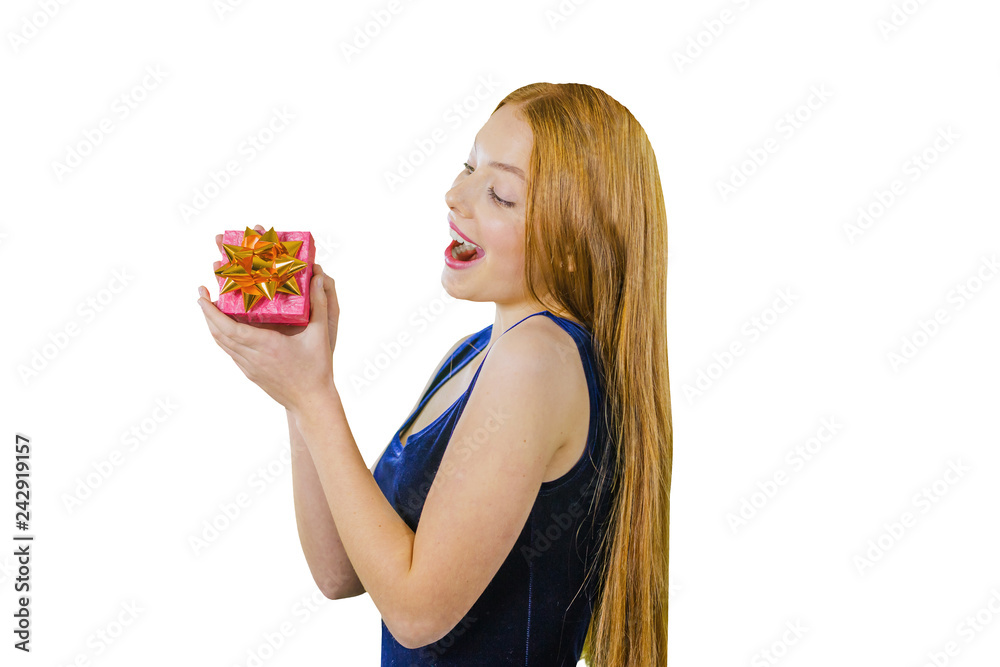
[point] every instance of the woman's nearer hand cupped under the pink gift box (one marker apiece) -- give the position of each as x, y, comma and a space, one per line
292, 364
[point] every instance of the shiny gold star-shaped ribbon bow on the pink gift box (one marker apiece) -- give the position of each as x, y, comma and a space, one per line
261, 266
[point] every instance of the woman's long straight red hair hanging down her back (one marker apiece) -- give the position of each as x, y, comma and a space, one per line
594, 197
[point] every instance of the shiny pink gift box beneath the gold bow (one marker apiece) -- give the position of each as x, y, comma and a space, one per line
283, 308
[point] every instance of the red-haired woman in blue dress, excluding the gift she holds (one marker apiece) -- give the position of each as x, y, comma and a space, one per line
520, 514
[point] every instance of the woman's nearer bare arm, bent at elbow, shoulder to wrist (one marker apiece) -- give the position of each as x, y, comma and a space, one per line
410, 575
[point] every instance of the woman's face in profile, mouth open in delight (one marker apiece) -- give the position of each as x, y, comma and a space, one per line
487, 204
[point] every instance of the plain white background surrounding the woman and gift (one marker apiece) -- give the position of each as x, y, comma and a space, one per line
855, 299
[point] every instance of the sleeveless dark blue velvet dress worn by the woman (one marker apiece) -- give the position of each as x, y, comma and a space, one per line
536, 610
